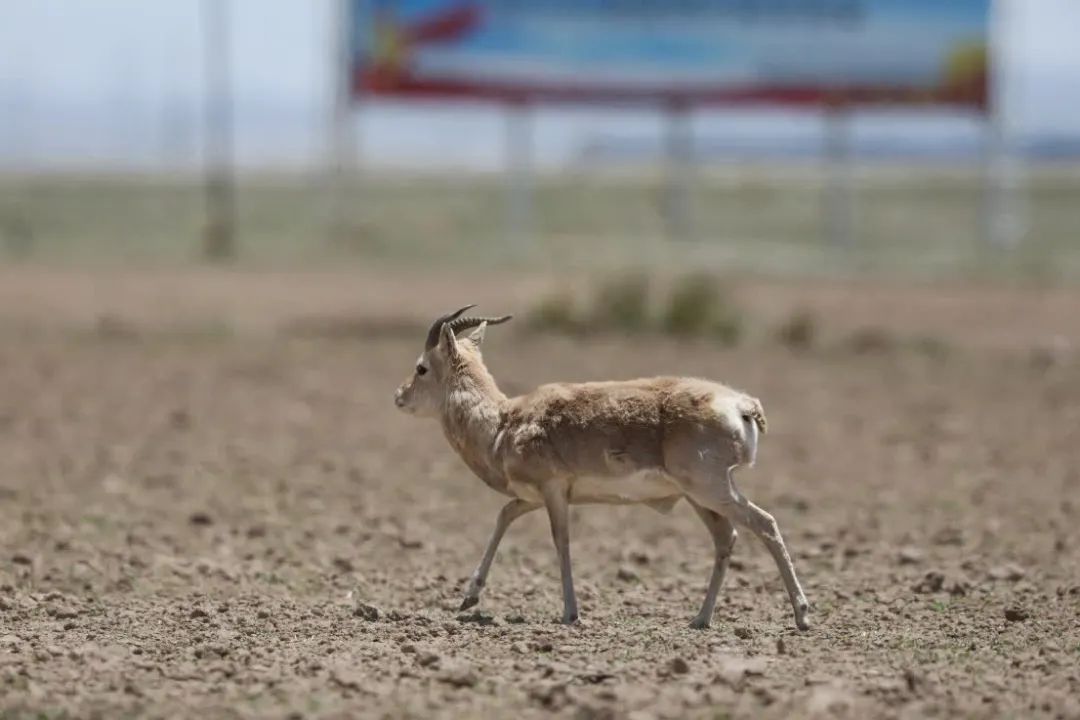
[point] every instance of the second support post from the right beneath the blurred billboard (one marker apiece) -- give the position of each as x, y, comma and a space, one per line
840, 179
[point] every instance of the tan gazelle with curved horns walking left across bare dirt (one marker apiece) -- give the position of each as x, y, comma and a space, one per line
653, 442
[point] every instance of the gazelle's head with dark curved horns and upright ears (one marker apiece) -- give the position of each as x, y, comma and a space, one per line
443, 357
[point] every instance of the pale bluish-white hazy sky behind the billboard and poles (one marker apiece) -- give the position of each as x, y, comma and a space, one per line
121, 65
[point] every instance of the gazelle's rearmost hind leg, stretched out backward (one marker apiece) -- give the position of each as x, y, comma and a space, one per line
722, 497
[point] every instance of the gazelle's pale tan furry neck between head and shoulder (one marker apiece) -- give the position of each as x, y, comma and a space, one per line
470, 417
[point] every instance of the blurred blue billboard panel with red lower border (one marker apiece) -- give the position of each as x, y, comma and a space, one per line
688, 52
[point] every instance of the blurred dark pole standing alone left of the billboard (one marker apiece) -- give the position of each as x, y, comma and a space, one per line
220, 238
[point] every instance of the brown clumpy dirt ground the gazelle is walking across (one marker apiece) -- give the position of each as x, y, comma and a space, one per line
205, 521
